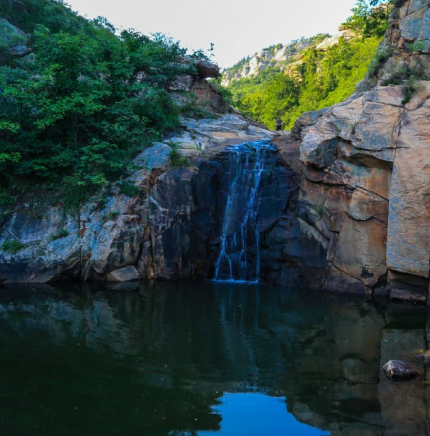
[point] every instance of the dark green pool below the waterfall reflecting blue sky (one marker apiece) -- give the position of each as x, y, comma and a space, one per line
205, 359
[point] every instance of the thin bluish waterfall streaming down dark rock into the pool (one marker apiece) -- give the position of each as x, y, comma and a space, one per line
239, 257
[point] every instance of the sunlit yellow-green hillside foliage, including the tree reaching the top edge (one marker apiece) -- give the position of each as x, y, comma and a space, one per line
318, 78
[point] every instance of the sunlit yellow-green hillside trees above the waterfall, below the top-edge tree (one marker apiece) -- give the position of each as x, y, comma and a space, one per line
322, 78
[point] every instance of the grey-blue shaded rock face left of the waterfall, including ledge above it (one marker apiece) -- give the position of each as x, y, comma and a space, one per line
169, 230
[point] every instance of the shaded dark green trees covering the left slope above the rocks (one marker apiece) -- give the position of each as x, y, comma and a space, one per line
74, 113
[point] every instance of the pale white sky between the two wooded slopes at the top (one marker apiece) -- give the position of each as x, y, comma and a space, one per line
237, 28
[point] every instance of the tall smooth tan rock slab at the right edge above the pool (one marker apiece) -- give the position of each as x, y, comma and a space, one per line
408, 248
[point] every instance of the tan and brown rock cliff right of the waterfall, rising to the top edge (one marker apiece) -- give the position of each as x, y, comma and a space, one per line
364, 197
